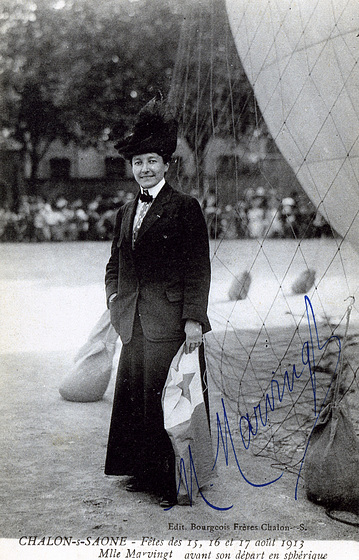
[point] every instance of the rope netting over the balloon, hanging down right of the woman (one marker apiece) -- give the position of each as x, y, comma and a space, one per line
278, 292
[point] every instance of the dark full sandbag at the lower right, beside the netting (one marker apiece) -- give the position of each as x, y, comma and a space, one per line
331, 468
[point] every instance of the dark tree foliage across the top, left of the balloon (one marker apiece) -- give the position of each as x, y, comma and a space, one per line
78, 69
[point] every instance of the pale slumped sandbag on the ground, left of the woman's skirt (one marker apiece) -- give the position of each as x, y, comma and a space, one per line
91, 373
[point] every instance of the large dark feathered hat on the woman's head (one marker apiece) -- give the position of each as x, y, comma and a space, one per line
155, 130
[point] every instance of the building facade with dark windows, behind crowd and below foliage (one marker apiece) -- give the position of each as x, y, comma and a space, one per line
230, 169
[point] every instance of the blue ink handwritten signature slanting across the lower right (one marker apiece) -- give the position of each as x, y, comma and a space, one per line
250, 425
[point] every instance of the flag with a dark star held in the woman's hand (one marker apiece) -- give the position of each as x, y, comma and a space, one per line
186, 422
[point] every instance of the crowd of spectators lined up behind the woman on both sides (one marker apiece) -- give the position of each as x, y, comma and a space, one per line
257, 214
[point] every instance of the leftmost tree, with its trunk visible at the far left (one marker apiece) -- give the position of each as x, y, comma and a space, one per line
29, 60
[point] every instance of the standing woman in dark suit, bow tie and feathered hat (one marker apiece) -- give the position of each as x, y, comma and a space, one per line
157, 284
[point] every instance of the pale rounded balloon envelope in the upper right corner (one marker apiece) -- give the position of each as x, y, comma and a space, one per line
302, 61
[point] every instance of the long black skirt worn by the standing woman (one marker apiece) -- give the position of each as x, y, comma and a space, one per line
138, 444
